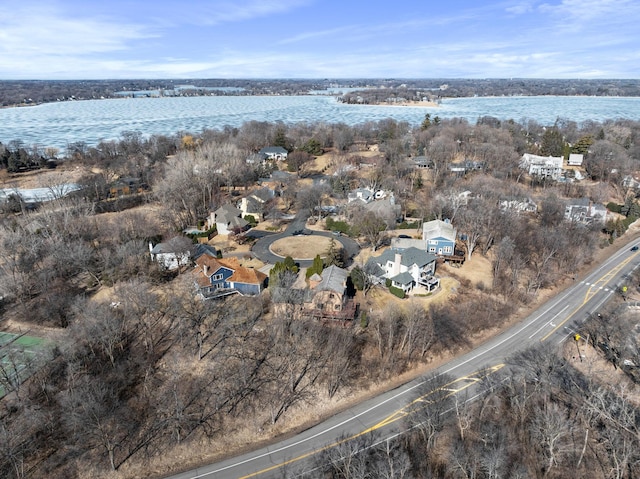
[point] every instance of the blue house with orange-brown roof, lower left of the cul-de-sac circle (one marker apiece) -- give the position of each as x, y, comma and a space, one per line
217, 277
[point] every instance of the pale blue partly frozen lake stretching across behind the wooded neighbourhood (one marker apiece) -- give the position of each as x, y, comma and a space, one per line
57, 124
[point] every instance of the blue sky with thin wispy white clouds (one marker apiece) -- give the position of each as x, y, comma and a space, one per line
182, 39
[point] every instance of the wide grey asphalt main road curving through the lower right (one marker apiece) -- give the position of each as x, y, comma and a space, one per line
555, 321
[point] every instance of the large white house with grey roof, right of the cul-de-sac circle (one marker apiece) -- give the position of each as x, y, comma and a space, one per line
408, 268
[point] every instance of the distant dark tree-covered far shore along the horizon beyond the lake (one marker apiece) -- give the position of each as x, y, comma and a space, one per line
30, 92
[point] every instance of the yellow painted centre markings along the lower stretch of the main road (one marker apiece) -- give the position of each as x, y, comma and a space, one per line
473, 378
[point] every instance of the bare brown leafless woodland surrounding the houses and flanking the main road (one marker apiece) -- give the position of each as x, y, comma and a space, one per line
139, 371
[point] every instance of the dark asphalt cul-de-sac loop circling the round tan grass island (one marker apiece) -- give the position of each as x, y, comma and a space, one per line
261, 247
